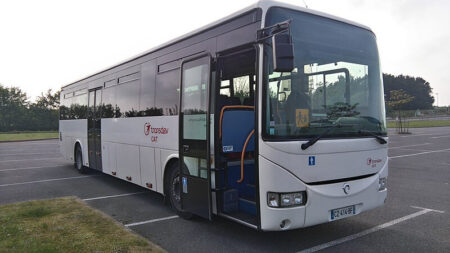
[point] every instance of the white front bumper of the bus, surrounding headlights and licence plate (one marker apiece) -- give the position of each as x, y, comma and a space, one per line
321, 199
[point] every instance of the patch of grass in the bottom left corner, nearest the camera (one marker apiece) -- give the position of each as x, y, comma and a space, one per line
64, 225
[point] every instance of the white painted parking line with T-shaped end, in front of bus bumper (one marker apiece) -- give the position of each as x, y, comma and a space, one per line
370, 230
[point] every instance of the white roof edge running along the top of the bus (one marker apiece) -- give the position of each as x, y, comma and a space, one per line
262, 4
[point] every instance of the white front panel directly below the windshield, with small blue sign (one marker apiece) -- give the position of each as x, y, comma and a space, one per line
341, 158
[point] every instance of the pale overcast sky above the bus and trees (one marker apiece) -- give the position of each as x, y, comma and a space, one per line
47, 44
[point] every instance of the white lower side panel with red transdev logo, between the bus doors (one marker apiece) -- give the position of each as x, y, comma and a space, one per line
129, 152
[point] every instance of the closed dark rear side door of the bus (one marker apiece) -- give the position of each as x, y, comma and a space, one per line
94, 129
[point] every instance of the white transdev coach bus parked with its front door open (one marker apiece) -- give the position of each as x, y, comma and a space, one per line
272, 117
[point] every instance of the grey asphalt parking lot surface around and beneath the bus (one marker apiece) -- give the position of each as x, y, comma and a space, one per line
416, 217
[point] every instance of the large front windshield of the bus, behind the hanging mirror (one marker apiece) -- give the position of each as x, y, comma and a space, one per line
336, 80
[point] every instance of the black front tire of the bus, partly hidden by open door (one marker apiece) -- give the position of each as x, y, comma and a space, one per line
173, 190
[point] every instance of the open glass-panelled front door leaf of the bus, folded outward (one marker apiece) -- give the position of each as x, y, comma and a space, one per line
194, 136
